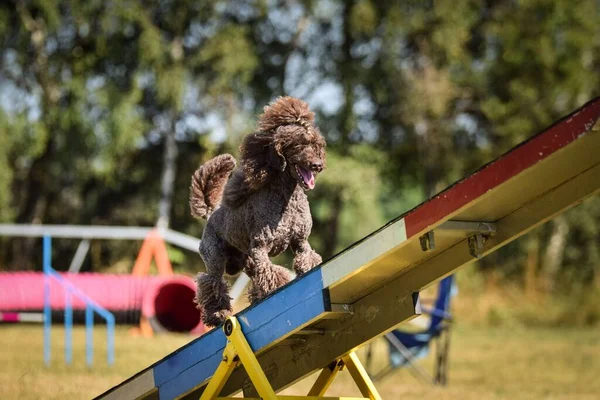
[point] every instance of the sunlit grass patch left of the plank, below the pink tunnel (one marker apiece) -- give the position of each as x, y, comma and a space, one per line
23, 374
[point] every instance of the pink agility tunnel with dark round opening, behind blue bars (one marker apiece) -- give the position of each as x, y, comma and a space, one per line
166, 301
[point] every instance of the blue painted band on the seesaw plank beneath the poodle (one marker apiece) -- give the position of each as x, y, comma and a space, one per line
274, 317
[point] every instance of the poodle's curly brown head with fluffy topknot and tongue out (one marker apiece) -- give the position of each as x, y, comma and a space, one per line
288, 144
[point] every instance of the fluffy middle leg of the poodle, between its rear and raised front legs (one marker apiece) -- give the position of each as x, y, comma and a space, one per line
266, 276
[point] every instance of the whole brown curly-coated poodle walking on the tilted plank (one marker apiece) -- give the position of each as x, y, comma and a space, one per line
260, 209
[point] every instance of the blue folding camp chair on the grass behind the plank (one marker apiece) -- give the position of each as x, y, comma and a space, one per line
406, 347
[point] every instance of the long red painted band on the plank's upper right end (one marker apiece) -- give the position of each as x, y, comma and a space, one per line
502, 169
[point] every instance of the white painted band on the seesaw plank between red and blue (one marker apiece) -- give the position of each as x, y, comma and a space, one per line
349, 263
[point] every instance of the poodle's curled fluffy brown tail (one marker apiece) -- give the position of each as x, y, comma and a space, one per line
208, 183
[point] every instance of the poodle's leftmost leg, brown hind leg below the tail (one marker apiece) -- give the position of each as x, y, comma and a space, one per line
212, 294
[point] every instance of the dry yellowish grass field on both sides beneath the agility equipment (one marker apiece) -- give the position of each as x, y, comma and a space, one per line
485, 363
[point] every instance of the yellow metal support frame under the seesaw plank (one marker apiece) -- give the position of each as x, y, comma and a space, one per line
238, 351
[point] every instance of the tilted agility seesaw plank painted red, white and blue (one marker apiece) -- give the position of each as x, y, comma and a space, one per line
368, 289
